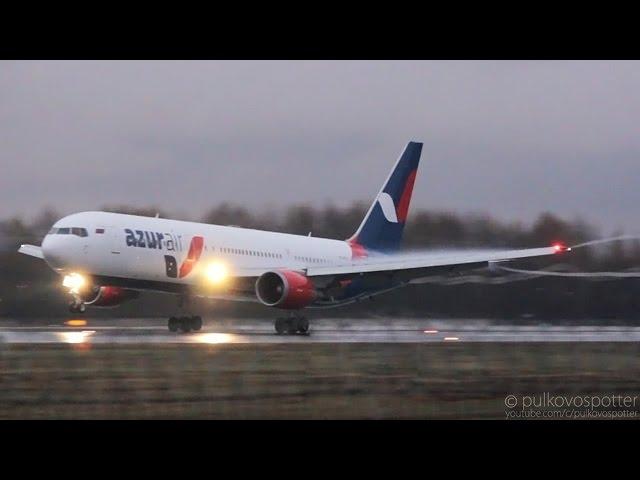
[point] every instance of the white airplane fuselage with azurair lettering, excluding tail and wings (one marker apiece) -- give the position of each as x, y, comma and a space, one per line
134, 247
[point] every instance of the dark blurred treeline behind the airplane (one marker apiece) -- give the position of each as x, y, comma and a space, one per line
29, 288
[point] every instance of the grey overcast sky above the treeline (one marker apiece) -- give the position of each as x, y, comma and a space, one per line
509, 138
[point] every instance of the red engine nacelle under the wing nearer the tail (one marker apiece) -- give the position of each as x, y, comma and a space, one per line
285, 289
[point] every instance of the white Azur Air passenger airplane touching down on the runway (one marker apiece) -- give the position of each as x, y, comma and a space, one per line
108, 258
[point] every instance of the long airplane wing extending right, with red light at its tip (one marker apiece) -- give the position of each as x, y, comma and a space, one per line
414, 266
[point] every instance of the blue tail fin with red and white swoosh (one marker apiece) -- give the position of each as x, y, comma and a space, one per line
382, 227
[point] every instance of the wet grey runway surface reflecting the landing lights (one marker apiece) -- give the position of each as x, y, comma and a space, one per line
154, 331
